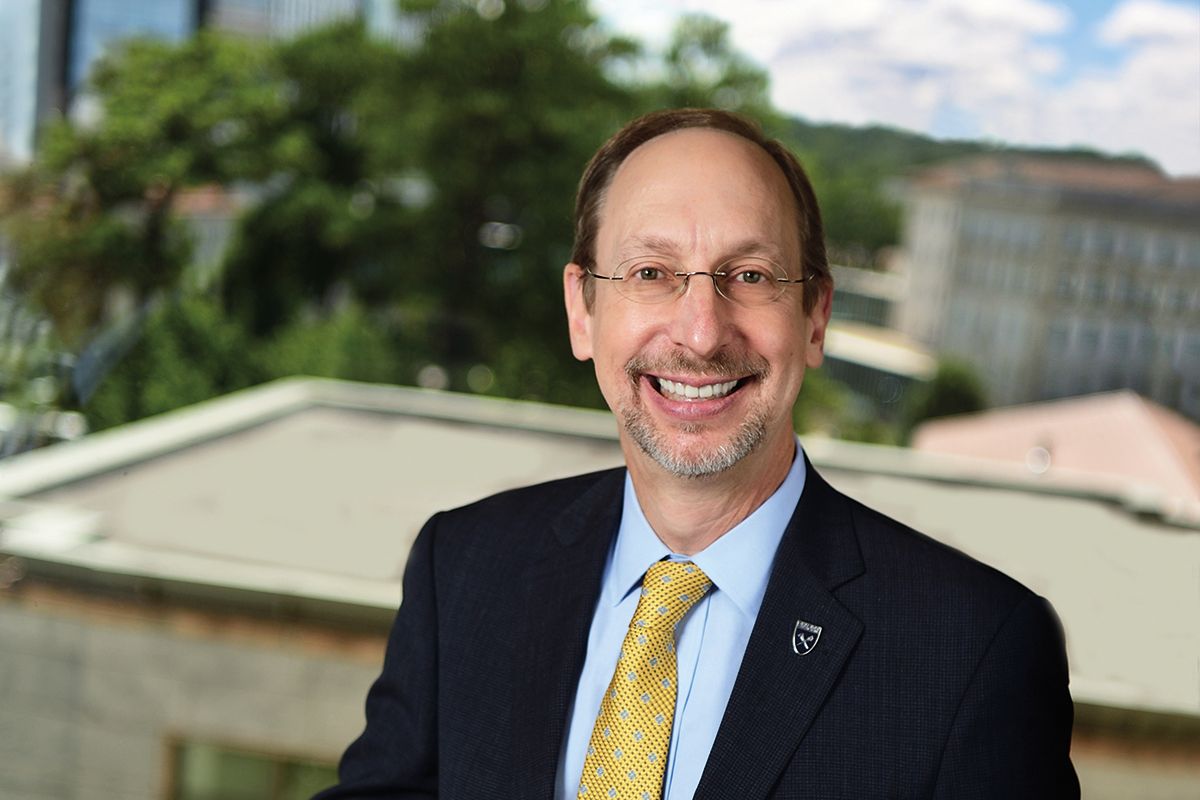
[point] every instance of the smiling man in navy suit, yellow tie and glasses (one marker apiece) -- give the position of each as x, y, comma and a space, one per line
716, 622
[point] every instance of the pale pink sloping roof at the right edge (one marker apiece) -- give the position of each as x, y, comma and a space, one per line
1115, 434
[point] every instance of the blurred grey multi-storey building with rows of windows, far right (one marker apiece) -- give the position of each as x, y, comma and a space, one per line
1058, 278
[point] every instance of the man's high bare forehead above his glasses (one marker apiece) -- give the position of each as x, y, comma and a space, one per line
700, 190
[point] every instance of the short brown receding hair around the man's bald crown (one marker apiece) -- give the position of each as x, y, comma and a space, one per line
609, 159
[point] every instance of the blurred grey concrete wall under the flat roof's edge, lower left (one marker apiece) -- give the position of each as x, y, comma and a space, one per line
93, 693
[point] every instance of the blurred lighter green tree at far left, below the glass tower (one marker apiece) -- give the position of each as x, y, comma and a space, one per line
94, 214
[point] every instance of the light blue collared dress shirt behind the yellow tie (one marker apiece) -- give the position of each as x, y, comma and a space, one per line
710, 641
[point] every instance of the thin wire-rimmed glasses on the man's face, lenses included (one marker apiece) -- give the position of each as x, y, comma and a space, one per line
747, 281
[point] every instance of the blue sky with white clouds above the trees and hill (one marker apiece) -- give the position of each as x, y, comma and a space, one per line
1119, 76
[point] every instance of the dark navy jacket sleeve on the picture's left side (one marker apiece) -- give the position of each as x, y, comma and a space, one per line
397, 757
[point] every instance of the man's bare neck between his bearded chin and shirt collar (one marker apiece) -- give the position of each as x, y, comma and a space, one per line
691, 514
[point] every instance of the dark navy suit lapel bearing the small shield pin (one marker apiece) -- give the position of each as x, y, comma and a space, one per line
819, 554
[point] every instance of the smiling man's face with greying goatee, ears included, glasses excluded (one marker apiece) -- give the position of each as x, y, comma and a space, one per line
701, 197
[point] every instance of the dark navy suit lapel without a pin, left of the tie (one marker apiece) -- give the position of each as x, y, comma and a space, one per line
561, 592
